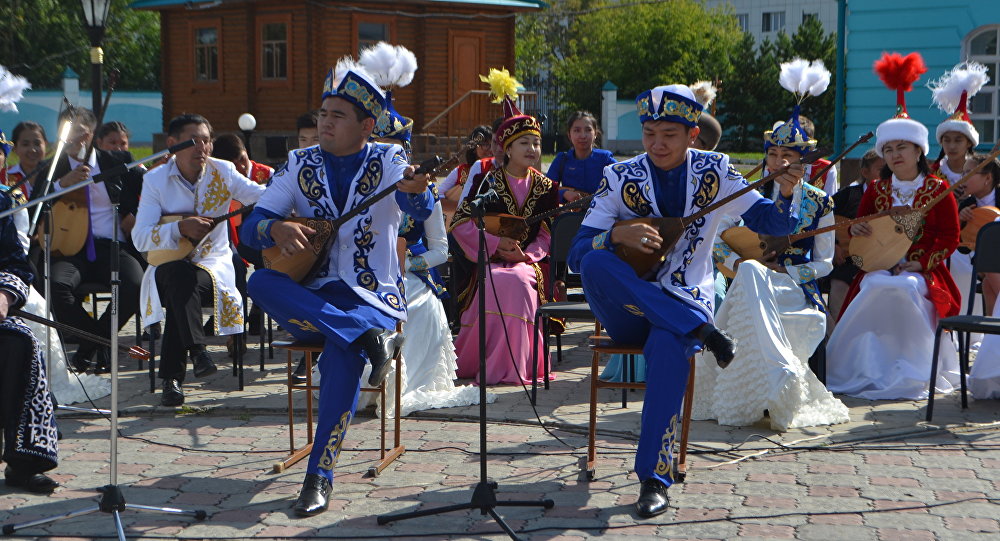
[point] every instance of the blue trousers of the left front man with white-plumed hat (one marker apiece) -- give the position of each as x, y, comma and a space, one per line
336, 316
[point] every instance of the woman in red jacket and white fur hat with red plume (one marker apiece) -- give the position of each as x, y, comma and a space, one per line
881, 346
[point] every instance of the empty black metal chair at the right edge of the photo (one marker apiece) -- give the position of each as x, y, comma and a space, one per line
986, 259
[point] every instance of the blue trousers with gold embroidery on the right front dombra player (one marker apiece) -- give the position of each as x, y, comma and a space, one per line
634, 312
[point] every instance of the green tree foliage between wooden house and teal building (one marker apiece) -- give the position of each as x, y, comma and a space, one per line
569, 50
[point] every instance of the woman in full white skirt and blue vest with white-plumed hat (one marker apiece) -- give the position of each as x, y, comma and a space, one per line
773, 308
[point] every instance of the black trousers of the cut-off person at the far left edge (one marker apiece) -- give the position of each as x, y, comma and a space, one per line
17, 353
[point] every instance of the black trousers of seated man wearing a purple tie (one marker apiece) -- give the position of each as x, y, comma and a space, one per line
68, 273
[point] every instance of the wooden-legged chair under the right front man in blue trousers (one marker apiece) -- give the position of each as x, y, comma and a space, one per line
602, 345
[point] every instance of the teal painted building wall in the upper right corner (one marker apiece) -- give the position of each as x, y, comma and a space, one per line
933, 28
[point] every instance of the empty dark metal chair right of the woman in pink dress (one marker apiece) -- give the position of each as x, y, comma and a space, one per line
563, 230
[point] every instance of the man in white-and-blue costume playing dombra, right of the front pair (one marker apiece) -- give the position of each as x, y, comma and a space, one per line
671, 316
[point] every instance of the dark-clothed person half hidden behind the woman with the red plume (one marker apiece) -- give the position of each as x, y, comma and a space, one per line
845, 206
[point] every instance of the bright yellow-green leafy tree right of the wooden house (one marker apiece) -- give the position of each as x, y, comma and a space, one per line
641, 46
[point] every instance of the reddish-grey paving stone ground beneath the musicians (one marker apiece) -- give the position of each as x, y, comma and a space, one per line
884, 475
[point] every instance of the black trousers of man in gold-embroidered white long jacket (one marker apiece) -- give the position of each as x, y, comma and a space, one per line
184, 289
